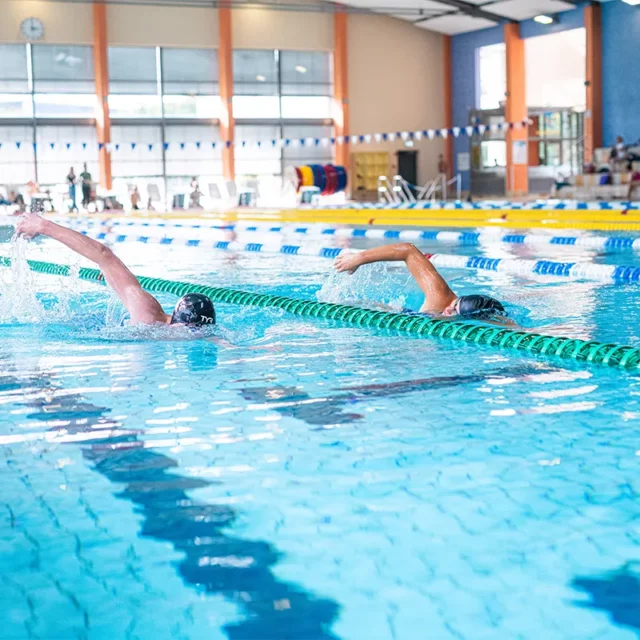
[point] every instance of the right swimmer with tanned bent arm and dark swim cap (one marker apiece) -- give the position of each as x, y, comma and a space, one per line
439, 300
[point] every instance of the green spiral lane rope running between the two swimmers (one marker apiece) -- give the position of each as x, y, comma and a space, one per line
612, 355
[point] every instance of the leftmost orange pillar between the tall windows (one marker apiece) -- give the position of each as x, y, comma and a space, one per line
101, 72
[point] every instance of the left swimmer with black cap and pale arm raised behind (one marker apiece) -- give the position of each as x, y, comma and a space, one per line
193, 309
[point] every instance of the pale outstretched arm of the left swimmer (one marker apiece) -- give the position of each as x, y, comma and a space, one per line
142, 306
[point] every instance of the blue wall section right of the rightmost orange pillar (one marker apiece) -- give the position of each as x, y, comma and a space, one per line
620, 71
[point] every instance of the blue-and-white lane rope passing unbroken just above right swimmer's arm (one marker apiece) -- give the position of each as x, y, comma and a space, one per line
466, 238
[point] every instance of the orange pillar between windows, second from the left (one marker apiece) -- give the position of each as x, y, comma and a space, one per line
225, 73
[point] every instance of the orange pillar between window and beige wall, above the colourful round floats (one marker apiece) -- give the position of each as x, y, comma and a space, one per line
341, 87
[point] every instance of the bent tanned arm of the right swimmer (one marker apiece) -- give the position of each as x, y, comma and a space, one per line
438, 294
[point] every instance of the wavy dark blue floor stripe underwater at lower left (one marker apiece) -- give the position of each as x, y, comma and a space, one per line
214, 561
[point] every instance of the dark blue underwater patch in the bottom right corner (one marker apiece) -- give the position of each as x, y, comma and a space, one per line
617, 593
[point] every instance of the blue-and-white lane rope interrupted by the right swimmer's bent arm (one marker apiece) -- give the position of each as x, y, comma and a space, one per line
608, 274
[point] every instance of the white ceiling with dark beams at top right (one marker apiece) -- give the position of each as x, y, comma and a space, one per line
445, 16
